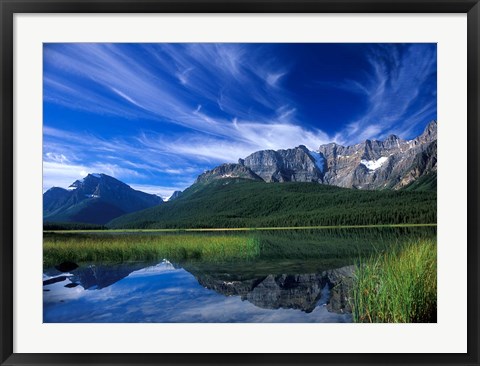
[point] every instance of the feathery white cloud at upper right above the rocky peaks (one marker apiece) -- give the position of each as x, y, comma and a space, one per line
393, 87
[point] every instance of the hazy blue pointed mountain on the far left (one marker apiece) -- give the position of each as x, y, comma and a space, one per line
96, 199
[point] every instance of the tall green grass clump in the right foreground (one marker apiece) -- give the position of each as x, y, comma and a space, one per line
398, 286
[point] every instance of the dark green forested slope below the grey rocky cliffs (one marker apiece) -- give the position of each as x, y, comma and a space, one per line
235, 202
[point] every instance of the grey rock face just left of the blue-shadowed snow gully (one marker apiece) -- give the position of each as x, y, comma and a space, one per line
291, 165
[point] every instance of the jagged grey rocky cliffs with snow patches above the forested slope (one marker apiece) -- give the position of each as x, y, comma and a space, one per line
389, 164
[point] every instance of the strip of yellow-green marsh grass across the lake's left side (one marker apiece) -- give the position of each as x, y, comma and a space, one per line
58, 248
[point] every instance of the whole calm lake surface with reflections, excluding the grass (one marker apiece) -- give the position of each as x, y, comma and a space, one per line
286, 283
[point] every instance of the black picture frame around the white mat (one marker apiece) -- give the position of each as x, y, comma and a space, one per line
10, 7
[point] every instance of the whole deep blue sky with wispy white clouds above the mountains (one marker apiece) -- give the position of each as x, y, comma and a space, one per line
157, 115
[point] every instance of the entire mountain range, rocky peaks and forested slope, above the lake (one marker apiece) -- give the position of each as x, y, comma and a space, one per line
235, 195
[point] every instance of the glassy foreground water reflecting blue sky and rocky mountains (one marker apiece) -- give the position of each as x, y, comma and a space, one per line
146, 292
